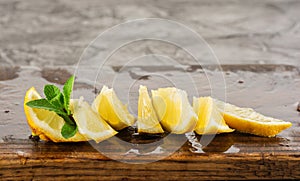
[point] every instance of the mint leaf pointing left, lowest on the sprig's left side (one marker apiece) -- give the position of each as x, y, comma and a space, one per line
44, 104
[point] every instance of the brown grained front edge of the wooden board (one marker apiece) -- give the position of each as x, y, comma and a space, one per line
80, 161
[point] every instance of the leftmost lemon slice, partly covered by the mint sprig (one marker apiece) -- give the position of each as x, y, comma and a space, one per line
46, 124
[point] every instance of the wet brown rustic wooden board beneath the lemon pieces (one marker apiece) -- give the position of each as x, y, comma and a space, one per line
270, 89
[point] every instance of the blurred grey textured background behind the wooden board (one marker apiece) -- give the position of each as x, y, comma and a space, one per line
42, 33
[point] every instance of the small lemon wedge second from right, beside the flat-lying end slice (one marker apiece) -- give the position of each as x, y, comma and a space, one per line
210, 119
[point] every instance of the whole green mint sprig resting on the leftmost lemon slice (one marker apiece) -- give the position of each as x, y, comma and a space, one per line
59, 103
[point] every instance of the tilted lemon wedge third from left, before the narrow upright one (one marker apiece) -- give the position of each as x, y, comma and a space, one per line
112, 110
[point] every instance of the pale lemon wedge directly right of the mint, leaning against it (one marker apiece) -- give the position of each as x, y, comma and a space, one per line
89, 123
